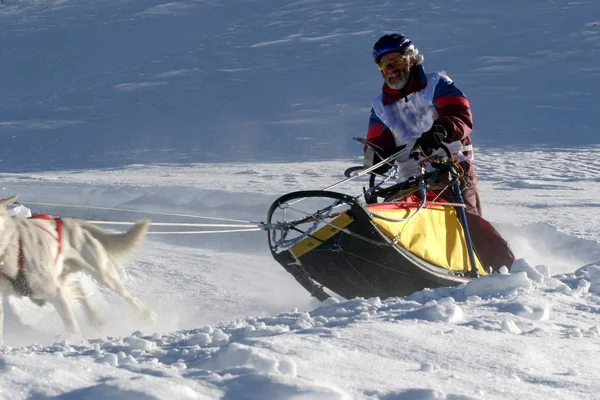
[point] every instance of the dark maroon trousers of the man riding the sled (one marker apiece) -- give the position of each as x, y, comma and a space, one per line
491, 248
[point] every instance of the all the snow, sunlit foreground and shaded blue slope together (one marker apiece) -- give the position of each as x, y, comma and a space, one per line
189, 109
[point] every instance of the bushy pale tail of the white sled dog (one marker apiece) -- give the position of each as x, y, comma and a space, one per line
119, 245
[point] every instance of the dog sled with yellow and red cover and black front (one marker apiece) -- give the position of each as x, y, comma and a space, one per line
389, 240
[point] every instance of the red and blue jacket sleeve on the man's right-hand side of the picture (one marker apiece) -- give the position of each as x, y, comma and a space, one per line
454, 110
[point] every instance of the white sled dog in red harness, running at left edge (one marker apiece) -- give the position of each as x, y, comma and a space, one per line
37, 256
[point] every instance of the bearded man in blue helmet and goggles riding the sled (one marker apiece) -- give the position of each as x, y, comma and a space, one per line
423, 109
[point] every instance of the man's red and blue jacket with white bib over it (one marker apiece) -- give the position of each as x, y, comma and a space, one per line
428, 98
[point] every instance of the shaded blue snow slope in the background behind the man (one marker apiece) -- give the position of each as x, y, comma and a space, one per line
88, 84
